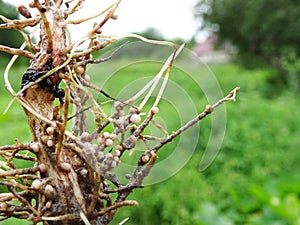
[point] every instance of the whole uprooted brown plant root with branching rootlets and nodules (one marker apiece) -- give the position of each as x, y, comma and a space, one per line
69, 172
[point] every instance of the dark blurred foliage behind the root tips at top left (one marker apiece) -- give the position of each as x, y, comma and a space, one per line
9, 38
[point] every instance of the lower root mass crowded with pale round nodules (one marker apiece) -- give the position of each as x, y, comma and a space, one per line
67, 173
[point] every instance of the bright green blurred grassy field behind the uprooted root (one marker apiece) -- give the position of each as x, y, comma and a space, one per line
253, 180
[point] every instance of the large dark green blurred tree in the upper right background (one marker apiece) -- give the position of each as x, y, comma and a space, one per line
265, 32
